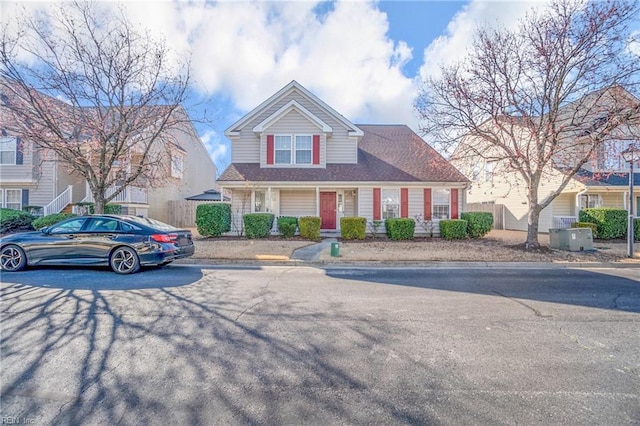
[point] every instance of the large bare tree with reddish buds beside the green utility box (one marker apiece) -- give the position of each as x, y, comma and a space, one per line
539, 101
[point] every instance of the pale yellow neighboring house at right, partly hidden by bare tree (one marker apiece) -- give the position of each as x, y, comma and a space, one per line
602, 182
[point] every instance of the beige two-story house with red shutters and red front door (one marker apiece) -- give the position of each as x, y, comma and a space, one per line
294, 155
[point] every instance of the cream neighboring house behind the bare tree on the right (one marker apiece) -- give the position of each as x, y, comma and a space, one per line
601, 182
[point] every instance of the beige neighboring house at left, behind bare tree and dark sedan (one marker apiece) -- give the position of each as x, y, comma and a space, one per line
30, 176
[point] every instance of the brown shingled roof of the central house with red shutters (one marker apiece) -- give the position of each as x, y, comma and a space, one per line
386, 153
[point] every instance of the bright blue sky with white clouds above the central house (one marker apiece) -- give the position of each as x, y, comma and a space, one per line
364, 58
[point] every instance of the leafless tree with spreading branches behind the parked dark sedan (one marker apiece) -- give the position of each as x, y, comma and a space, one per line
90, 89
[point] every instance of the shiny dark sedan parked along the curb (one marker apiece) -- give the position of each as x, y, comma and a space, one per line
122, 242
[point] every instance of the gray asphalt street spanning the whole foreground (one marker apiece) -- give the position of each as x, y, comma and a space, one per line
307, 345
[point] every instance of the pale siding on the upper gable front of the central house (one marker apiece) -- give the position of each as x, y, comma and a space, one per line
338, 148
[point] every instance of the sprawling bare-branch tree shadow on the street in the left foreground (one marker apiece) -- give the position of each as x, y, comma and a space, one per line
212, 352
